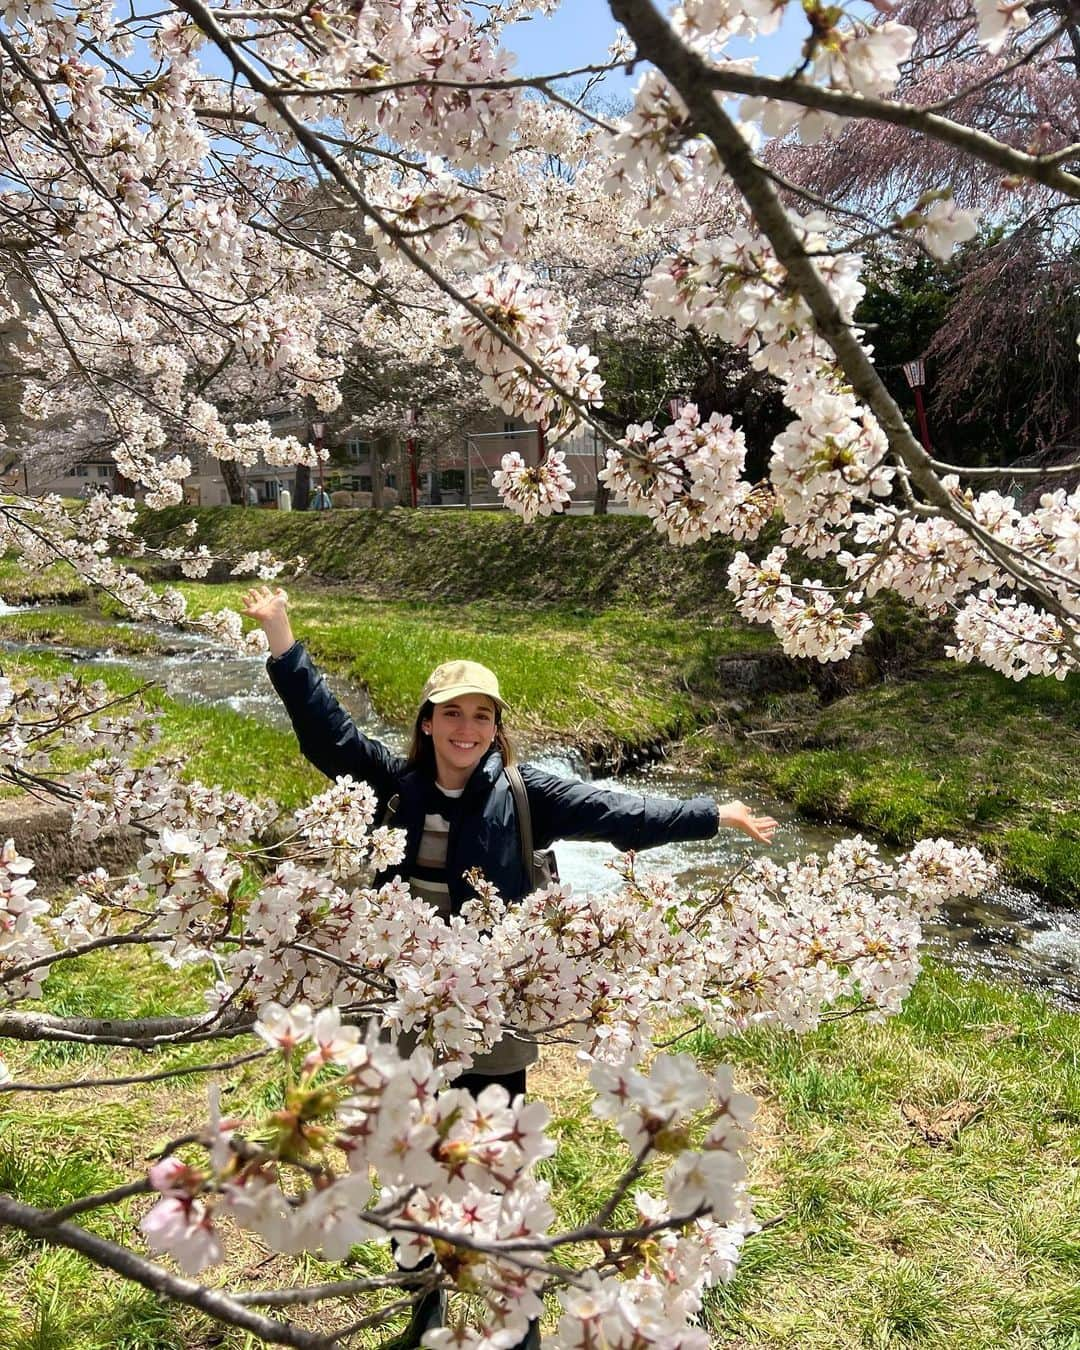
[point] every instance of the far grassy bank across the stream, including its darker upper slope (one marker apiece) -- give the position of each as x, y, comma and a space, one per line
612, 641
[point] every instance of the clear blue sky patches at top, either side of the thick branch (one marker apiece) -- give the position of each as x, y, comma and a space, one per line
583, 30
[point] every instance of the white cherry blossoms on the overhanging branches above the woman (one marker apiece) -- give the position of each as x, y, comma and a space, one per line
510, 202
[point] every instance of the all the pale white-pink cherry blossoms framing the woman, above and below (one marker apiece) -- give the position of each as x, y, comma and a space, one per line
373, 195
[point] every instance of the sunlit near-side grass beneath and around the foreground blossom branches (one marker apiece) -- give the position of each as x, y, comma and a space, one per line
884, 1239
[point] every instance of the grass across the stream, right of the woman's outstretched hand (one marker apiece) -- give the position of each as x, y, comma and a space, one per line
962, 753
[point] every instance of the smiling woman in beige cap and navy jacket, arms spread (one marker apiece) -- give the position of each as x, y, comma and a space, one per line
460, 811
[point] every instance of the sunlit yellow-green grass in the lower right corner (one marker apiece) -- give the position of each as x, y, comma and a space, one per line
888, 1241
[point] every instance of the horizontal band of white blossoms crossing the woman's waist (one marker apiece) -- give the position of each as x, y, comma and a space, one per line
589, 965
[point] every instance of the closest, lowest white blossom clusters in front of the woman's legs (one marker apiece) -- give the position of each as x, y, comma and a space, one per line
434, 1167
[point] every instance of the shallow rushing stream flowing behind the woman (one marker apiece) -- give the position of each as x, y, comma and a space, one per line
1006, 934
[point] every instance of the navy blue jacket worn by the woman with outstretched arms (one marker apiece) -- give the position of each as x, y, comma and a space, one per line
487, 835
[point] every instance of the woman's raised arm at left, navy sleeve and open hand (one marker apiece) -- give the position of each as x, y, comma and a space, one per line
327, 735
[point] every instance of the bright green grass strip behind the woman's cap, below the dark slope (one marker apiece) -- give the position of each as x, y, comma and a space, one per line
612, 684
